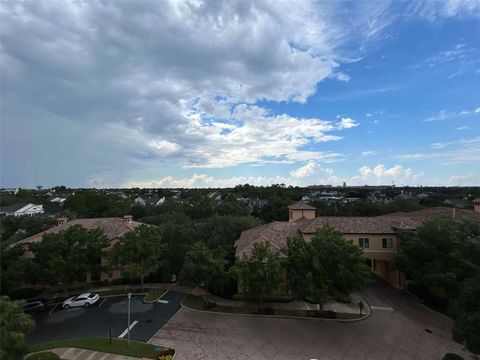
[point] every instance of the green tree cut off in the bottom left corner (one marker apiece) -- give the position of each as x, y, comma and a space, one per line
14, 324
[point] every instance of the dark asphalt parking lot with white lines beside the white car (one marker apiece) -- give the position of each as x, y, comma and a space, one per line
107, 313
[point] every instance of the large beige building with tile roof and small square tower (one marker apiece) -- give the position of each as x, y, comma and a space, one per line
376, 235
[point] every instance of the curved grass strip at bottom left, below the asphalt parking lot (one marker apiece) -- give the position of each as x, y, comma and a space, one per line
118, 346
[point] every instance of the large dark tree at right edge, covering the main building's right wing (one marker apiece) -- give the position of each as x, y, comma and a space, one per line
441, 253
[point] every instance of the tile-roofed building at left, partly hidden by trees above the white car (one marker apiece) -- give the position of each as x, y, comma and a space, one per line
113, 228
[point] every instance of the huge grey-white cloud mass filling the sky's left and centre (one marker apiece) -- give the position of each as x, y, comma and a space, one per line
174, 82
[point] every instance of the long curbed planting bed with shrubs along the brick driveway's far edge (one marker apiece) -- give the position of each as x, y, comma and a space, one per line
199, 303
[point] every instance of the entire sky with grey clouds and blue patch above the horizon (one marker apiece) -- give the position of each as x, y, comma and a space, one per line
221, 93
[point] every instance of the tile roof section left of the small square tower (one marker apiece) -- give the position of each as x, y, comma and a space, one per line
275, 233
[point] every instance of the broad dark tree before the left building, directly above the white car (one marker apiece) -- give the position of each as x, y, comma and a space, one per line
67, 256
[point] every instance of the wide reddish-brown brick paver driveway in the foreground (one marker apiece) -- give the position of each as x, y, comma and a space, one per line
395, 330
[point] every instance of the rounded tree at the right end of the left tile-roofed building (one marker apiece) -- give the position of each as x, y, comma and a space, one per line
139, 252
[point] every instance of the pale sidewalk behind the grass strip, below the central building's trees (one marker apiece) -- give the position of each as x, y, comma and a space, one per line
330, 305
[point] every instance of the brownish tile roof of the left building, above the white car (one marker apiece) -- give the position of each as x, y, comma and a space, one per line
112, 227
